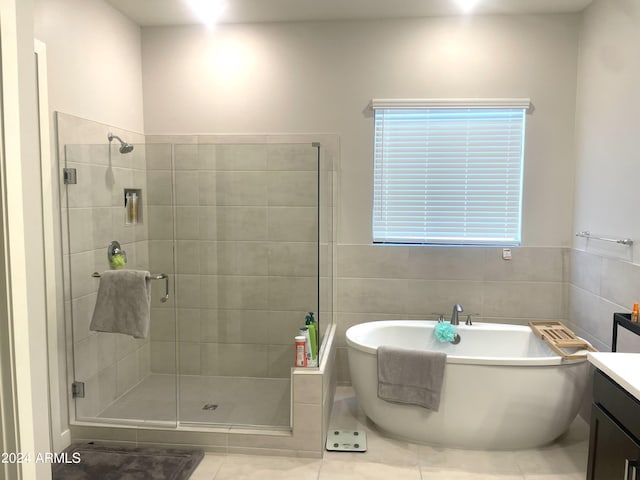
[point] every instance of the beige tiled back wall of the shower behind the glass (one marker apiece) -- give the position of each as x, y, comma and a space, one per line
245, 223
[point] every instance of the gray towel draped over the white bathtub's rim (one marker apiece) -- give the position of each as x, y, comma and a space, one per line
410, 376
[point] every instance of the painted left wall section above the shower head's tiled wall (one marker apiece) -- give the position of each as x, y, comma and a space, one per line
94, 61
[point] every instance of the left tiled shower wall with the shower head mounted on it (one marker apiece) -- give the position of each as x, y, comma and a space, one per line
109, 365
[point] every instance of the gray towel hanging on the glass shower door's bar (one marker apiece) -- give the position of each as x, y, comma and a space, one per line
123, 304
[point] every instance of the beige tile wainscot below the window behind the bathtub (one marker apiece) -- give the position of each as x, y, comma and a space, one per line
416, 282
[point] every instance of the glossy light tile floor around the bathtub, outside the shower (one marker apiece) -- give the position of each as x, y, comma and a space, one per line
389, 459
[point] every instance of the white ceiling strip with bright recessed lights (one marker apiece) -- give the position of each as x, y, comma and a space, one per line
177, 12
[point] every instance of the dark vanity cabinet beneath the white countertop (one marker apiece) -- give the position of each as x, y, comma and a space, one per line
614, 443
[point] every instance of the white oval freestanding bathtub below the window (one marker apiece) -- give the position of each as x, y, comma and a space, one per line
503, 389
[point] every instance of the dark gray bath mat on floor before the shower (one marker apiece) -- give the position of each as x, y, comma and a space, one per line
109, 462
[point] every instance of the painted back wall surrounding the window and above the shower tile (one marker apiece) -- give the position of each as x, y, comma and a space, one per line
320, 77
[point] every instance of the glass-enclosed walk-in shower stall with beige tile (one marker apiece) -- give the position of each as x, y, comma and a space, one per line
240, 237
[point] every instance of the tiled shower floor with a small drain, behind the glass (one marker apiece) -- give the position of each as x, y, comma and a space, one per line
239, 401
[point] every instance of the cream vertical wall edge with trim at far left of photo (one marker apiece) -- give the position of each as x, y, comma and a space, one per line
24, 245
